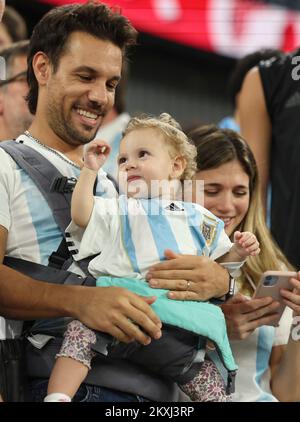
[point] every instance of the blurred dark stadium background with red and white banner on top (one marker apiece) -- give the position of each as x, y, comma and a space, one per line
187, 48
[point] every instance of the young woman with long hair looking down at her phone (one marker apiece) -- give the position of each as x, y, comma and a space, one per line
269, 361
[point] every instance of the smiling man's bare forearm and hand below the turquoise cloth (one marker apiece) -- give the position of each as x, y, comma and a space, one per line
113, 310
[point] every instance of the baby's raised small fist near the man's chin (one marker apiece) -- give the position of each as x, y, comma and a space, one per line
95, 154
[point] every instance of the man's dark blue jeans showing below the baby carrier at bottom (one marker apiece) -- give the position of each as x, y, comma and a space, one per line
86, 393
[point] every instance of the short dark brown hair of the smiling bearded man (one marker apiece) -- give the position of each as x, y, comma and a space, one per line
51, 35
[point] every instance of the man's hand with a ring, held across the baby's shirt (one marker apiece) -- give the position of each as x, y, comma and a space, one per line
189, 277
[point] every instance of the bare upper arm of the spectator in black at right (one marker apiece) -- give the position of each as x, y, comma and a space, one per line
255, 124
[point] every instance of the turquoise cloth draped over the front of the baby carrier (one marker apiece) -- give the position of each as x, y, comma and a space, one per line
201, 318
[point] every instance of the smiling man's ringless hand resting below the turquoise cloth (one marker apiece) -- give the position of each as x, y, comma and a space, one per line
120, 313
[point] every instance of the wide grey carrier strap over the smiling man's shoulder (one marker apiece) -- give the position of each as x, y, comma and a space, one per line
43, 173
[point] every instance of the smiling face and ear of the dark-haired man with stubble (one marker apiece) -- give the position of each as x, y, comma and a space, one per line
82, 89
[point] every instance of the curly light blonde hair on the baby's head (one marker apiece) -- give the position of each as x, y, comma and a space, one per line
175, 138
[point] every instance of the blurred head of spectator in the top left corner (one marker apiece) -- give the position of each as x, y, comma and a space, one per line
13, 27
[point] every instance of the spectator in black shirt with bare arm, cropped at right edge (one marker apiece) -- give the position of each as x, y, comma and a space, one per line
269, 112
